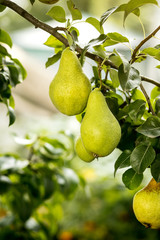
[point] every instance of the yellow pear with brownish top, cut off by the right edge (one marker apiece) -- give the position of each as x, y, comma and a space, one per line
146, 205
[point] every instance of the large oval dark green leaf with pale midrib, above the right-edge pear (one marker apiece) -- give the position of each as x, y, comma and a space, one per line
142, 157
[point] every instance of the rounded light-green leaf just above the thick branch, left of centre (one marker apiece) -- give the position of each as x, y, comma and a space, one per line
57, 13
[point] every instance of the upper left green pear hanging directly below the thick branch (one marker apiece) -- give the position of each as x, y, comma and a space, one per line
70, 88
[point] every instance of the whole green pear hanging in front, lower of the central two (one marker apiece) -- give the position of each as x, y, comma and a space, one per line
100, 130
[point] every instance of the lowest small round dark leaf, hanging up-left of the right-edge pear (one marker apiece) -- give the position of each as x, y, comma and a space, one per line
131, 179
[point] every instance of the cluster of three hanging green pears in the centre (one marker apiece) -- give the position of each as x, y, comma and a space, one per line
70, 92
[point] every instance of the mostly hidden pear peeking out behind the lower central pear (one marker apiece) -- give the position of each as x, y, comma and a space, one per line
82, 152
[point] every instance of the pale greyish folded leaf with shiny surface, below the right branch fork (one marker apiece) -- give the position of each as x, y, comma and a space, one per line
130, 79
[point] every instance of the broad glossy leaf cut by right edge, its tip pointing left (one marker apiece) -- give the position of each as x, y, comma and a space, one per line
150, 128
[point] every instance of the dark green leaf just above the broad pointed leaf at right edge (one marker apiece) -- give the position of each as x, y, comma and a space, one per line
136, 109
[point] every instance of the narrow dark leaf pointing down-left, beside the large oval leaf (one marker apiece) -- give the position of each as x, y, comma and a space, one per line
122, 161
